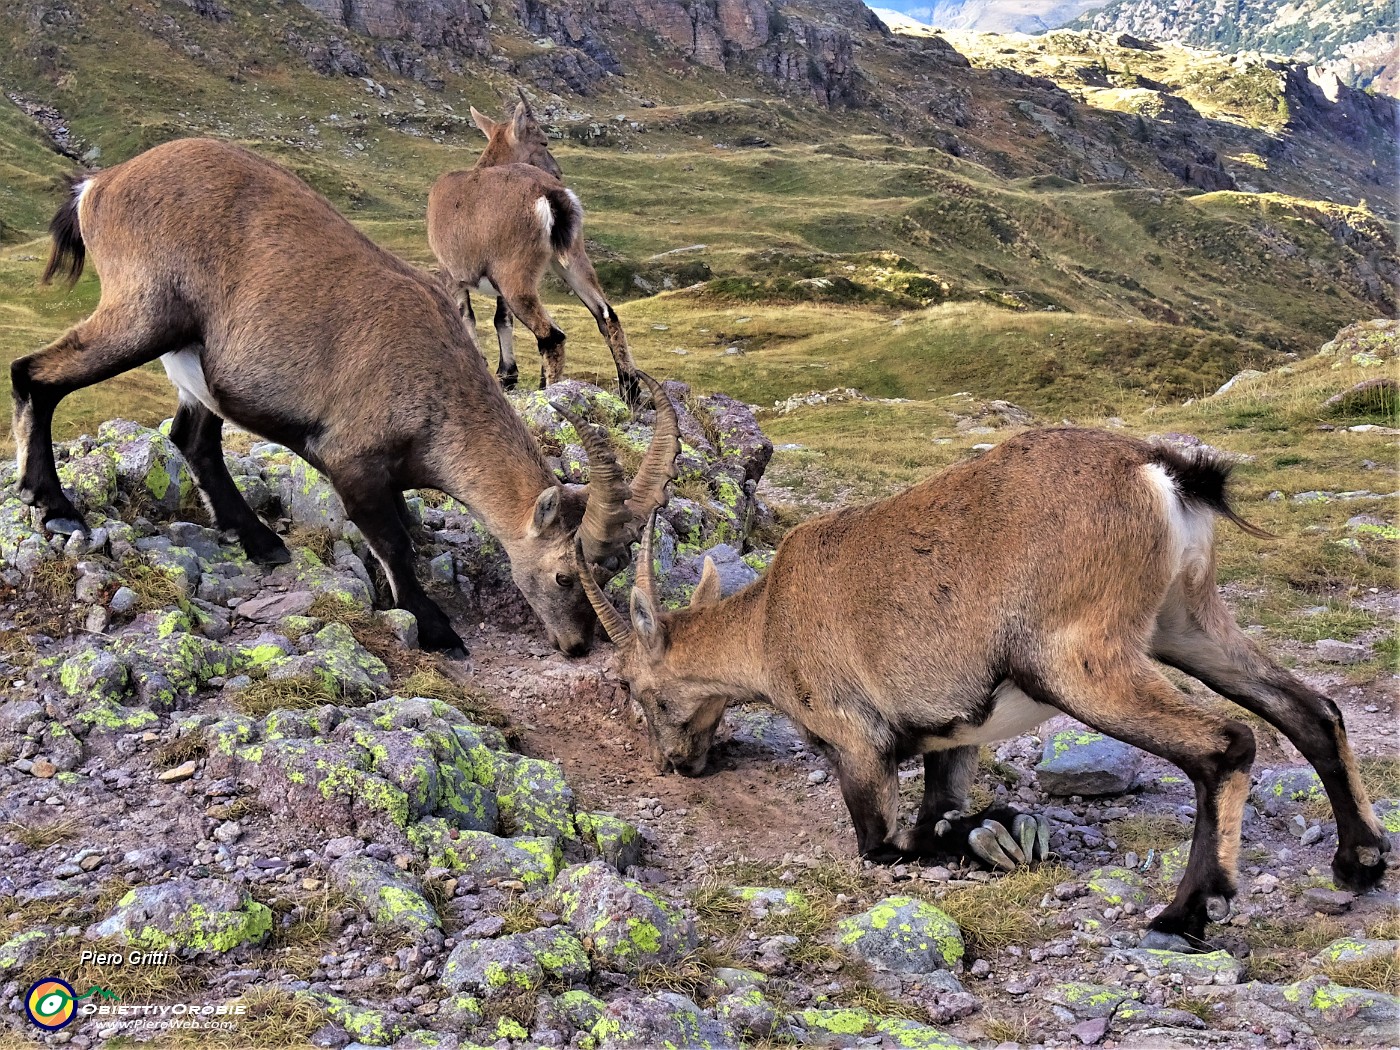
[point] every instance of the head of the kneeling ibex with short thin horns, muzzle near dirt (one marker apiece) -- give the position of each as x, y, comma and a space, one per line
681, 702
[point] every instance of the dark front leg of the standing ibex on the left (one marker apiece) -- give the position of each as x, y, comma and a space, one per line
374, 509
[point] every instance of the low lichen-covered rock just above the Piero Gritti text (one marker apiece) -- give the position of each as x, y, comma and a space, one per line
195, 915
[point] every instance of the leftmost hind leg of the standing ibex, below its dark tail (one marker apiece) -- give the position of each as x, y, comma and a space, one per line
115, 339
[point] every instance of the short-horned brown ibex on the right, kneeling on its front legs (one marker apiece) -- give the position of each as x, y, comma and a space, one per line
1045, 577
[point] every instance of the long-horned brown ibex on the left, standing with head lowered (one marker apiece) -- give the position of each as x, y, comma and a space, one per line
268, 309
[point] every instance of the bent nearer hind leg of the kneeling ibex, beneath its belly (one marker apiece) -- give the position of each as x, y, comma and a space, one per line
1135, 703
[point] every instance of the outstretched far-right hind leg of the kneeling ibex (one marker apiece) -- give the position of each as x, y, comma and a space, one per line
1209, 646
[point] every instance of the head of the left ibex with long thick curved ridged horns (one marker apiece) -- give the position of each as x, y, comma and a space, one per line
601, 519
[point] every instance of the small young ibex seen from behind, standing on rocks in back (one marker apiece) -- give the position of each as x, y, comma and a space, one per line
500, 226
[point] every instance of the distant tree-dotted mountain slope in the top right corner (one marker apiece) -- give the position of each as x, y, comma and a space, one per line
1354, 40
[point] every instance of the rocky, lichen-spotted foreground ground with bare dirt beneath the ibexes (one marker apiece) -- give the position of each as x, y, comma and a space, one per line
257, 772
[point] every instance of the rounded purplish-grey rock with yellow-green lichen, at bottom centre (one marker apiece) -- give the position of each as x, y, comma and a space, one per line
626, 927
